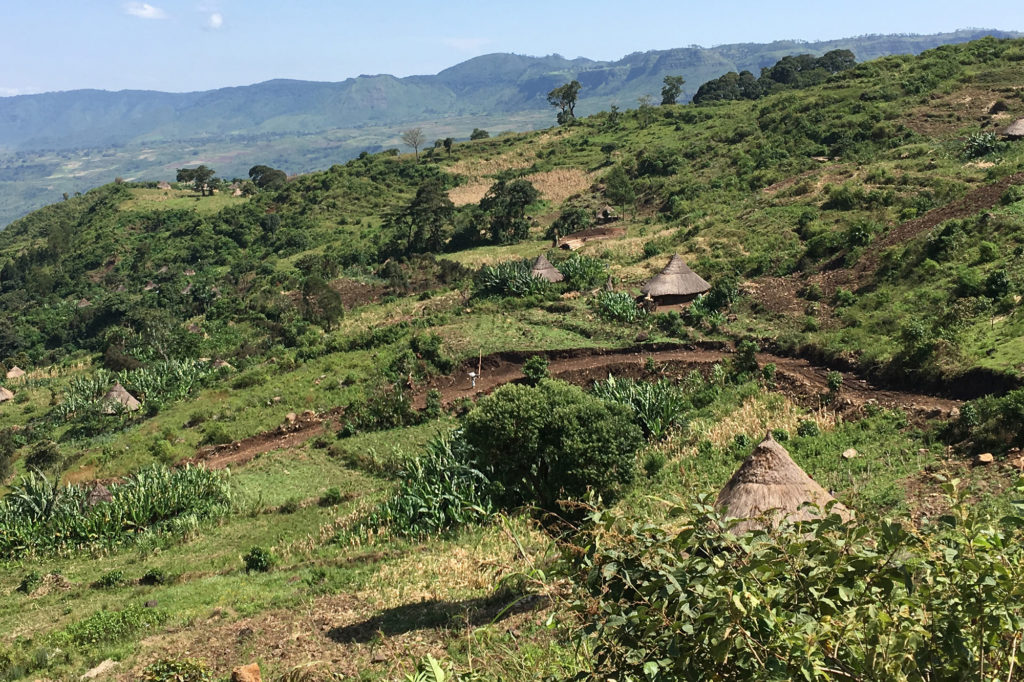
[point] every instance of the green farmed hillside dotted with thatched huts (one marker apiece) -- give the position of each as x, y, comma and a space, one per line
862, 239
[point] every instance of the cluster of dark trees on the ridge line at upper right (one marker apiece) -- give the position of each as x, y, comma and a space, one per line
791, 72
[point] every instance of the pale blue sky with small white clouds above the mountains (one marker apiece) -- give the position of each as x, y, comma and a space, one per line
186, 46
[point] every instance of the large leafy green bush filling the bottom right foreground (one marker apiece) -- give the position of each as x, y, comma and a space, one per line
825, 601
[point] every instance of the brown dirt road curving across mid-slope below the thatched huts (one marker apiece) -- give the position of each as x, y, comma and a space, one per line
798, 378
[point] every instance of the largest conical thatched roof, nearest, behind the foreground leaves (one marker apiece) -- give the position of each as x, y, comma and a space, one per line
770, 487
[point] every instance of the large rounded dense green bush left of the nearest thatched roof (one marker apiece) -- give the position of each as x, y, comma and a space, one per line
542, 444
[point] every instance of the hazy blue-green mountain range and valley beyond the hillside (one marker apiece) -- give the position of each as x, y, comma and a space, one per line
53, 143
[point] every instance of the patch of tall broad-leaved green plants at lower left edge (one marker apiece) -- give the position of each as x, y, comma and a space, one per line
39, 516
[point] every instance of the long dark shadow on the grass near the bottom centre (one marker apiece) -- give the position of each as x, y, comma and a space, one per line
437, 614
